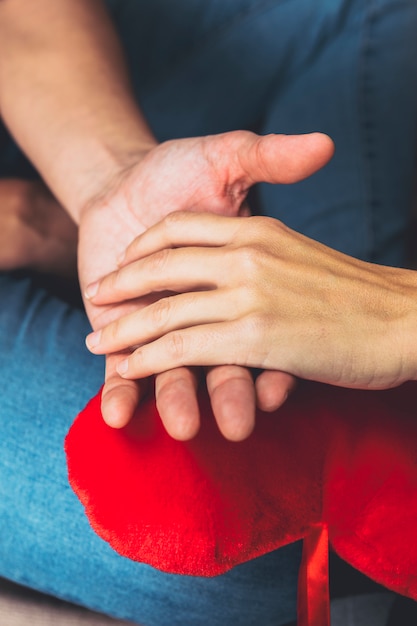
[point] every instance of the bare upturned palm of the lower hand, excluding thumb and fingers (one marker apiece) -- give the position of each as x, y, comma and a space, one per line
177, 175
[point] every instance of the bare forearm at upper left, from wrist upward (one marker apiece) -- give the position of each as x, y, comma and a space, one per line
65, 95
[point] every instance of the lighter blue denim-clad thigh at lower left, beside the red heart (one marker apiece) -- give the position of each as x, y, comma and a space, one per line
46, 377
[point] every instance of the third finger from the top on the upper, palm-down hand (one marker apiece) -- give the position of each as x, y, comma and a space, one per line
165, 315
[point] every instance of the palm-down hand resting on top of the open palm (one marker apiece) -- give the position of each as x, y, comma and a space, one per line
258, 294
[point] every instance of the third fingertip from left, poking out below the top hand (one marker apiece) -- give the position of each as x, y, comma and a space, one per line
232, 396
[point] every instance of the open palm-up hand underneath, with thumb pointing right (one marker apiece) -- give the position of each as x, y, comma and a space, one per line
199, 174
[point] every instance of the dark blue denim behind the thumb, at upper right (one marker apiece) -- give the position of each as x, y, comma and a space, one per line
344, 67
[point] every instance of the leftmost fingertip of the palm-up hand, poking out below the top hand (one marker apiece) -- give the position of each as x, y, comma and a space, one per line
120, 397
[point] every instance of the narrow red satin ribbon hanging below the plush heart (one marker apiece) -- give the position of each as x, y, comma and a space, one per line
313, 582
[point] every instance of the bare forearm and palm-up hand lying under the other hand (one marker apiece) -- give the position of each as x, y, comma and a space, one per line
65, 97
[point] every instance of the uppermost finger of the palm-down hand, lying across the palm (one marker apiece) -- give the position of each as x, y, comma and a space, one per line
179, 229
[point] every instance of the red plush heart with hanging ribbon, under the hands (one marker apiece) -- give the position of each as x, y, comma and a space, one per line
331, 465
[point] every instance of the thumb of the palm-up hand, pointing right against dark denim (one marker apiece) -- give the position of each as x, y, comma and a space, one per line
281, 158
